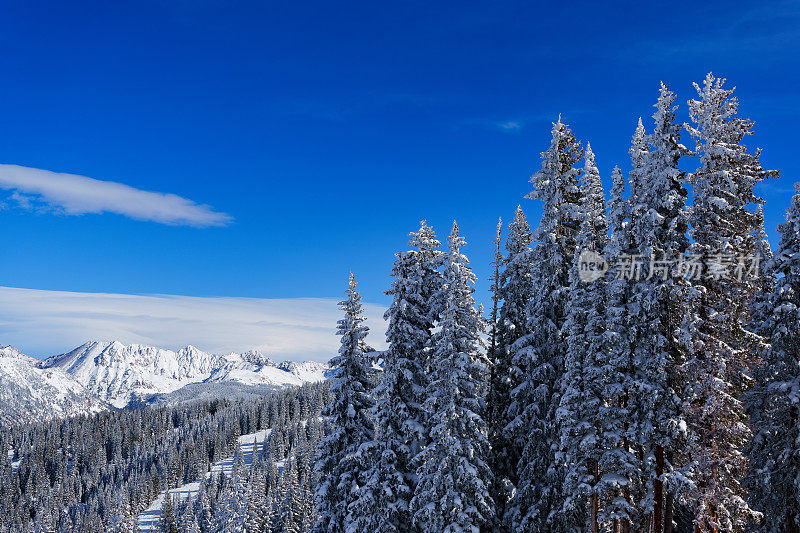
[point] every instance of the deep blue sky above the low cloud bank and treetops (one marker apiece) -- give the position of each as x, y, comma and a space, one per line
309, 137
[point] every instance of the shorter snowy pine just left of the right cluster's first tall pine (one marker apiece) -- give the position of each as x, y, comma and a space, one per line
515, 291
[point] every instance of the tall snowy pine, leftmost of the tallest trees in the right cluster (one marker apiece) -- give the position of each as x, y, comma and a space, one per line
539, 355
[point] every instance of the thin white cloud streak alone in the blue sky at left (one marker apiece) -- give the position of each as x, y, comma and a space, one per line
77, 195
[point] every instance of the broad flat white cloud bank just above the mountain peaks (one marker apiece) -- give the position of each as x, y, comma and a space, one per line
43, 323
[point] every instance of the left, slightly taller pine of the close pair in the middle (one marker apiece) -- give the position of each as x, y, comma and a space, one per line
383, 502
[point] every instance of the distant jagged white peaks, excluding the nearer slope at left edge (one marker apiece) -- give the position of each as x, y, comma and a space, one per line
119, 374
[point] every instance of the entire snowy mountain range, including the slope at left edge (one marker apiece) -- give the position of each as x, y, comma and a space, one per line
99, 374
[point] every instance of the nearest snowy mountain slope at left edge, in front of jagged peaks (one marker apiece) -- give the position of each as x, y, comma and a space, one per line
28, 392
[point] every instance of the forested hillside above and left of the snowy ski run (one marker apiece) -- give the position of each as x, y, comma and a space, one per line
96, 473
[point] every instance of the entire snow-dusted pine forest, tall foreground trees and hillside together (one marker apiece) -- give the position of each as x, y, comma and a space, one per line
636, 372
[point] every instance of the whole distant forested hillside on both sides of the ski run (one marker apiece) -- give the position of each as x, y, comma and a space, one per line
97, 473
